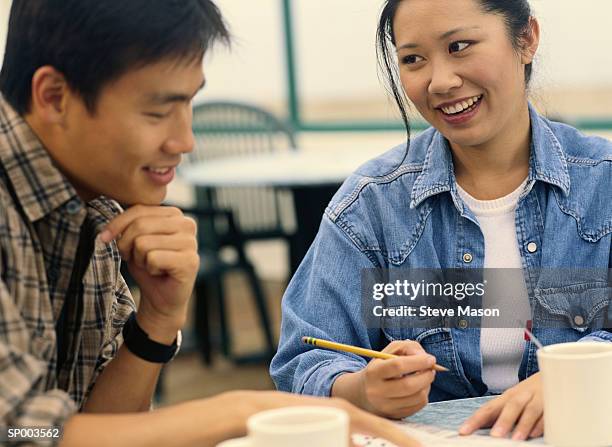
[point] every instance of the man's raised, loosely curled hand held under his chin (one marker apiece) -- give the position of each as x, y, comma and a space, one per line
160, 247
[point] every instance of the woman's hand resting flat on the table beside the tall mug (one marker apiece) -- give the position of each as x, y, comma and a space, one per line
520, 407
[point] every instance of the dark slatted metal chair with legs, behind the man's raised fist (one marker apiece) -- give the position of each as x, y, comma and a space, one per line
229, 217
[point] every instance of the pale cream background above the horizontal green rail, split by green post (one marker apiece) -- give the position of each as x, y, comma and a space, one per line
335, 47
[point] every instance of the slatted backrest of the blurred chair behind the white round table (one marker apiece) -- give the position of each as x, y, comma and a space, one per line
230, 129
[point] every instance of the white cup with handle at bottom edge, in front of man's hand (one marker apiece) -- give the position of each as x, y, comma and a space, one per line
296, 427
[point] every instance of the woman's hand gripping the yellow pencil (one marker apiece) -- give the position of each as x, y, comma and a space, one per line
393, 388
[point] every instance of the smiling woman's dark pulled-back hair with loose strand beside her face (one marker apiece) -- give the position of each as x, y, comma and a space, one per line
516, 14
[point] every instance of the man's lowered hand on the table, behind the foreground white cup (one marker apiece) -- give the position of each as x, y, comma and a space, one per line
248, 403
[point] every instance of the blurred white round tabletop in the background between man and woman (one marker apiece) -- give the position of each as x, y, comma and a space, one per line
300, 167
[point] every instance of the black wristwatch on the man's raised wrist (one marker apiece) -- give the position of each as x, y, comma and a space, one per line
139, 343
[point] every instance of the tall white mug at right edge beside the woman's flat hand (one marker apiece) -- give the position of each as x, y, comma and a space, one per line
577, 386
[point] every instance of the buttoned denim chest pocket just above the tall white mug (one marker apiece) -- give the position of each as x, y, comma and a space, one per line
581, 307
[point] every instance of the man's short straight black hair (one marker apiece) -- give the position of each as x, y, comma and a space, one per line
94, 42
